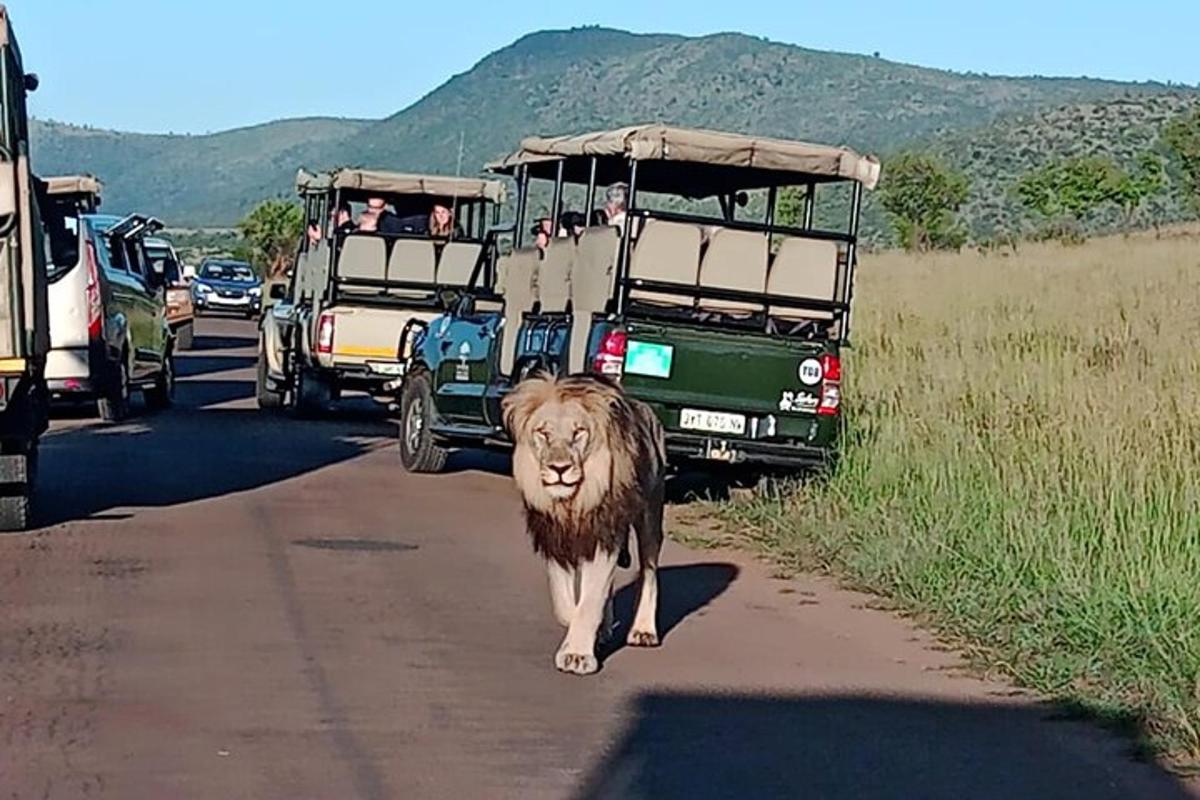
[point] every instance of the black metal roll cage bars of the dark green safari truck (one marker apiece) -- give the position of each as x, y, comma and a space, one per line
841, 306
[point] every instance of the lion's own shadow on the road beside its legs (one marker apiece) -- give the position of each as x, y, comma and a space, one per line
683, 591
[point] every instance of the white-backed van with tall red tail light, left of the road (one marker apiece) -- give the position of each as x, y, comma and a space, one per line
107, 304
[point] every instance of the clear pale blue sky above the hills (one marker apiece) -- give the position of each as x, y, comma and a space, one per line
193, 67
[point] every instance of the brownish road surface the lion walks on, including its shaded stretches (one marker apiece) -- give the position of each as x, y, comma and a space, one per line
225, 605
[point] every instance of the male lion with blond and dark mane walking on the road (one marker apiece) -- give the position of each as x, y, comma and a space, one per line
591, 465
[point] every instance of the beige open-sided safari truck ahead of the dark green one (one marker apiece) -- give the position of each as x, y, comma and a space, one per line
355, 296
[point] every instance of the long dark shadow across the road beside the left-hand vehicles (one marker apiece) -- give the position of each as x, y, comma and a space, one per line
200, 449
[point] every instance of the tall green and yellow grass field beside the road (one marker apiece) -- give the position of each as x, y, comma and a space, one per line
1022, 471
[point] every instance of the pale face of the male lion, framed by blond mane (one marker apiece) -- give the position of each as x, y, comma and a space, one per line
561, 430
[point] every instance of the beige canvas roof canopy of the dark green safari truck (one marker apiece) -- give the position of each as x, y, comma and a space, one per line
691, 163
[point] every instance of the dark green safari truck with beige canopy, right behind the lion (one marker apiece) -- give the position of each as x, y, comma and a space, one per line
727, 321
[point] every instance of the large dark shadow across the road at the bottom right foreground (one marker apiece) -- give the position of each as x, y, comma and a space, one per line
861, 748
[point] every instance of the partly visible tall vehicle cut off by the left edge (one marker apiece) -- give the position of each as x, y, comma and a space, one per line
25, 323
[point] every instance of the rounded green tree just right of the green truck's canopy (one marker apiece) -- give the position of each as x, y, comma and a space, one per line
923, 199
